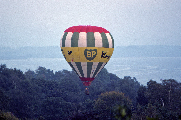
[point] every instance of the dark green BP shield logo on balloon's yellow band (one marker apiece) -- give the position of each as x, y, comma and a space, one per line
90, 54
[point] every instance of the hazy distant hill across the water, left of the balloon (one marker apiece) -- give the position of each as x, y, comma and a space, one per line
30, 52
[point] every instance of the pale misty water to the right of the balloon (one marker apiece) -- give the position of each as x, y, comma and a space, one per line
145, 69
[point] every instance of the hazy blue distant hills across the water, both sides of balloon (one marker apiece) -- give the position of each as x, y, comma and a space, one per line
119, 51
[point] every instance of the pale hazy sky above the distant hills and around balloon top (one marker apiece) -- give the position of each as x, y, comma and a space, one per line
131, 22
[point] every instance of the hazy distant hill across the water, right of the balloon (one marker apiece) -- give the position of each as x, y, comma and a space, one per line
147, 51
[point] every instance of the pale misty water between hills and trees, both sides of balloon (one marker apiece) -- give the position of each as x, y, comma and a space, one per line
142, 68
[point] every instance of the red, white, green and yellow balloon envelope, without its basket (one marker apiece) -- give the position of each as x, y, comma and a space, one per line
87, 49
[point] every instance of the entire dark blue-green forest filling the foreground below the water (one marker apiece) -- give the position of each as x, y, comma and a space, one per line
44, 94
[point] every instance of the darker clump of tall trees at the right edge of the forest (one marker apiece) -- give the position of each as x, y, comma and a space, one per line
159, 100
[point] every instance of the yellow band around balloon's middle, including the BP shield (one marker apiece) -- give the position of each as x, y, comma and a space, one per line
87, 54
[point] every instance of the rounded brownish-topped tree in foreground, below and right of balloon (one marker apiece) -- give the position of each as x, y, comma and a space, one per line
107, 103
